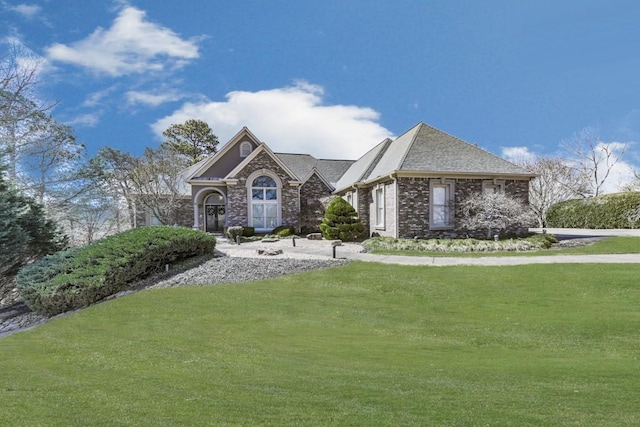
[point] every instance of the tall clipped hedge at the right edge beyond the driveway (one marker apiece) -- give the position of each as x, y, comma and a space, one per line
607, 211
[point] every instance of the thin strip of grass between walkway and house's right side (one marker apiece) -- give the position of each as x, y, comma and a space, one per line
608, 245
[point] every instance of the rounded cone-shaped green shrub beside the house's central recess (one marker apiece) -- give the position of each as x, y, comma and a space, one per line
341, 221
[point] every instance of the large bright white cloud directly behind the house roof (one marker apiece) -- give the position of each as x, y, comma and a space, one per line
290, 119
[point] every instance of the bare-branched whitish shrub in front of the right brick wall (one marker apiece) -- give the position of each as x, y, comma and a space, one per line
494, 213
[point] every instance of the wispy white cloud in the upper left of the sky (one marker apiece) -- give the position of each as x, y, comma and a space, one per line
130, 46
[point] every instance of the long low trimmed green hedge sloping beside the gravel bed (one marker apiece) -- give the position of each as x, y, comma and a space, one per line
78, 277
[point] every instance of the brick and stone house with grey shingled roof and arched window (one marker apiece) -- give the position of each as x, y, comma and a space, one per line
408, 186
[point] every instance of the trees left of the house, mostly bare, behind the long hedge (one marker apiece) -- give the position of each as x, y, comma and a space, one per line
52, 194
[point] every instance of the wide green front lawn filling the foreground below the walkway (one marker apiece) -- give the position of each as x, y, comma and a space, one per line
364, 344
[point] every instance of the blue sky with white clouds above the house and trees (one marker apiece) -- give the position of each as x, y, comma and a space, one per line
332, 78
